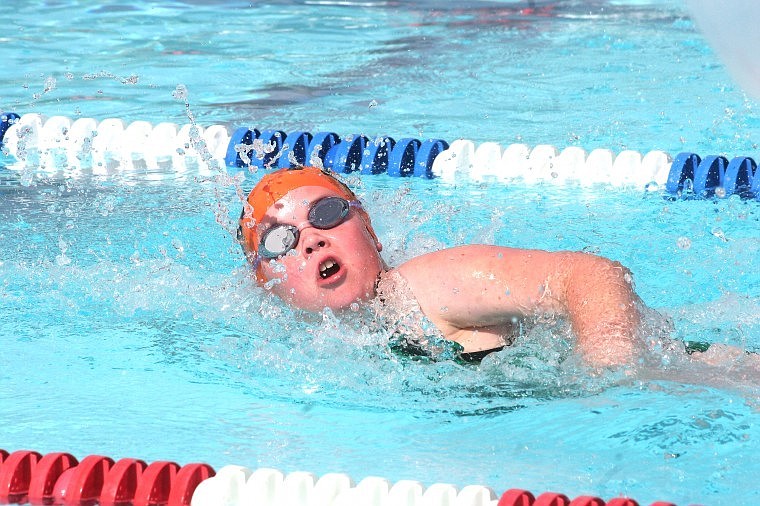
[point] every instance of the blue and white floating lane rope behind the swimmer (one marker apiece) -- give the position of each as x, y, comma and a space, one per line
58, 144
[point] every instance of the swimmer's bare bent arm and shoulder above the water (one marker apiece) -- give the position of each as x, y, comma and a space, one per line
476, 288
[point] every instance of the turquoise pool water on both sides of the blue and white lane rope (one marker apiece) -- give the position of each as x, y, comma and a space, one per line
131, 328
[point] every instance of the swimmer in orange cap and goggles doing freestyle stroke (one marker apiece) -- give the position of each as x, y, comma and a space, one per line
312, 243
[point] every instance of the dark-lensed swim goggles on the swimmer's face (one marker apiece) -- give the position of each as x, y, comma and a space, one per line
325, 213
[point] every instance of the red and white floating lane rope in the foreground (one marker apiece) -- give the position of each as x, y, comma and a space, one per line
60, 479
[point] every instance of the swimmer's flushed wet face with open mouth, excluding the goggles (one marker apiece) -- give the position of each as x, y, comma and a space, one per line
327, 268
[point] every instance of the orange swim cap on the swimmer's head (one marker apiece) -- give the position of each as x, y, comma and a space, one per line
275, 186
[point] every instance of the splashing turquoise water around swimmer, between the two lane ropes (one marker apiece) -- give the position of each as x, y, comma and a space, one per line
132, 328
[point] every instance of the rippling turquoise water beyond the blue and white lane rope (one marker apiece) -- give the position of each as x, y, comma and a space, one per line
571, 73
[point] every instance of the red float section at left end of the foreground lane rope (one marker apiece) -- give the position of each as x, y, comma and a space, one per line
58, 478
